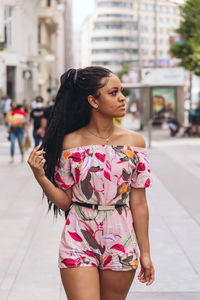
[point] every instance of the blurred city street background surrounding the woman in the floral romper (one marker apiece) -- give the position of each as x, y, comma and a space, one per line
154, 48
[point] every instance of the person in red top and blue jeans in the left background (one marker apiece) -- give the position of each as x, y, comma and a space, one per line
16, 120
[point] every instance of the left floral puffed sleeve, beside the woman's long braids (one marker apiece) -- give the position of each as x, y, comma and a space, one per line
63, 176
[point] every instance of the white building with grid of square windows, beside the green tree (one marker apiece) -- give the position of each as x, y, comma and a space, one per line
157, 22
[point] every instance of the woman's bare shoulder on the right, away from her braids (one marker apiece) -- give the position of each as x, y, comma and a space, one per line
134, 138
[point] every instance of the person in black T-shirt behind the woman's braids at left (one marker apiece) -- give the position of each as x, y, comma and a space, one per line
36, 115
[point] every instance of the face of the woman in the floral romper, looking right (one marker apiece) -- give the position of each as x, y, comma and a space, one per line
112, 101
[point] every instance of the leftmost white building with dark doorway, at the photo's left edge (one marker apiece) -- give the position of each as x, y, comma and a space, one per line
18, 44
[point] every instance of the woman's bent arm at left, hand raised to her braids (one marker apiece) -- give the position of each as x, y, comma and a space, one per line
57, 196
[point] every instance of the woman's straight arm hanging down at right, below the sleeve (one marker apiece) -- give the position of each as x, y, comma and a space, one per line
139, 210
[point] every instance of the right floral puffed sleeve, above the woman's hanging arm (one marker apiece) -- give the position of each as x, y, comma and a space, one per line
141, 176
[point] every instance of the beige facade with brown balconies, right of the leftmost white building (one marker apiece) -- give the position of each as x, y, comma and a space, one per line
50, 46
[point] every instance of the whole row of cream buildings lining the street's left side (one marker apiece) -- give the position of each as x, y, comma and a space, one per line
34, 47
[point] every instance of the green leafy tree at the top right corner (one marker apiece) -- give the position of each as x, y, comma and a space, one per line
187, 49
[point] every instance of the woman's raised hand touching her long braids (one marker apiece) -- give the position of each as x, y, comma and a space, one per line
36, 161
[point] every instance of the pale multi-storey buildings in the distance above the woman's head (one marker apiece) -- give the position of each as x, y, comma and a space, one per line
136, 32
